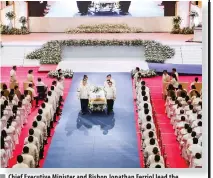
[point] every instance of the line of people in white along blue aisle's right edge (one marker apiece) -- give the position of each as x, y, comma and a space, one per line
150, 146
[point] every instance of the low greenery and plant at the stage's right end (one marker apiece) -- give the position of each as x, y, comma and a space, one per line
176, 27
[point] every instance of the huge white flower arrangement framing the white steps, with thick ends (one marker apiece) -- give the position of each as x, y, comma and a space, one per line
50, 52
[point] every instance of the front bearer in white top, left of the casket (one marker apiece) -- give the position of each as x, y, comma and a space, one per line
83, 95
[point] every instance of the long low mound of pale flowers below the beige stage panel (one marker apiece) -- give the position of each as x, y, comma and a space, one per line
105, 28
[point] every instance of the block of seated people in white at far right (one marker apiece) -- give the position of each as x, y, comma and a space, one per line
185, 113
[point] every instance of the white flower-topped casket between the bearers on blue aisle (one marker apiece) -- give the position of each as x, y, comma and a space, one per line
97, 100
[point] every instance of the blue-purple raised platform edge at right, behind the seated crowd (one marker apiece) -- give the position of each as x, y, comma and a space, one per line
183, 69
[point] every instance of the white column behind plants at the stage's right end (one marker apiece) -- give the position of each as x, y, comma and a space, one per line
183, 10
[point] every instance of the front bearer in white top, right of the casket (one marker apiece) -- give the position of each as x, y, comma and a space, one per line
110, 96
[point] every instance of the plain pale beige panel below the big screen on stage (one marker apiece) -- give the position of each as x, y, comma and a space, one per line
54, 24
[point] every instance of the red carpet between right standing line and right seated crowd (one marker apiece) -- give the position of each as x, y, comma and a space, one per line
174, 159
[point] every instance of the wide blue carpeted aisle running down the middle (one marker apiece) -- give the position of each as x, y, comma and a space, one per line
96, 140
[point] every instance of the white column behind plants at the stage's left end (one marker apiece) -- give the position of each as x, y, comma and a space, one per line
20, 10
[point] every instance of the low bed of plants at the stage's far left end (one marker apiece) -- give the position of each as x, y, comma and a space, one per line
6, 30
